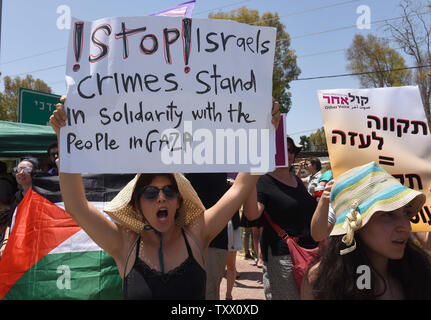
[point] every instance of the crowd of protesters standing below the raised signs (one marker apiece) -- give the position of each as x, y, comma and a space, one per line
343, 217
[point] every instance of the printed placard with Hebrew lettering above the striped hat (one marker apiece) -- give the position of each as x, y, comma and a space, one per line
385, 125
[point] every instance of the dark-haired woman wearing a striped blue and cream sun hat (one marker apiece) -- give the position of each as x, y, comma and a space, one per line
372, 230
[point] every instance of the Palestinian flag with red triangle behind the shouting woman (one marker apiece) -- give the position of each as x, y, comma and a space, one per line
48, 256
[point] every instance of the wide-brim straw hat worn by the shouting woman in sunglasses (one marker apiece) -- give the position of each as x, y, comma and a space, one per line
124, 213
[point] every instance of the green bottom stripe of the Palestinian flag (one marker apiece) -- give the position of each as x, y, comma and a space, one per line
73, 275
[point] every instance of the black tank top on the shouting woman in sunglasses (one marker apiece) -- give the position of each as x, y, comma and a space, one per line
185, 282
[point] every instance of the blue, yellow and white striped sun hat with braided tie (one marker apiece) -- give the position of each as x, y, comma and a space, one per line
360, 192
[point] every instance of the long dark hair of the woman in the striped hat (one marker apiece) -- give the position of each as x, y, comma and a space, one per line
337, 275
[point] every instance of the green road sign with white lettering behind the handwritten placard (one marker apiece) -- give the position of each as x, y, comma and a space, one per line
36, 107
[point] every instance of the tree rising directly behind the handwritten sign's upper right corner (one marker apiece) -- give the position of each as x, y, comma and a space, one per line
285, 67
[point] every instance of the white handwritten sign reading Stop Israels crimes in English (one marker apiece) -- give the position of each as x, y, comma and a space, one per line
163, 94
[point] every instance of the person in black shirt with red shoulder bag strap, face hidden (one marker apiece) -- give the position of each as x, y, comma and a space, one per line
284, 197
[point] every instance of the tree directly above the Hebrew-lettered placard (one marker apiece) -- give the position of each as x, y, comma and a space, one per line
375, 56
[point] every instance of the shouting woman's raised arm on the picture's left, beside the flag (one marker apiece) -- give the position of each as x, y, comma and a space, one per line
103, 231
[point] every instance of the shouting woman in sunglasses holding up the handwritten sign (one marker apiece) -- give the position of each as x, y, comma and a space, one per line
163, 230
